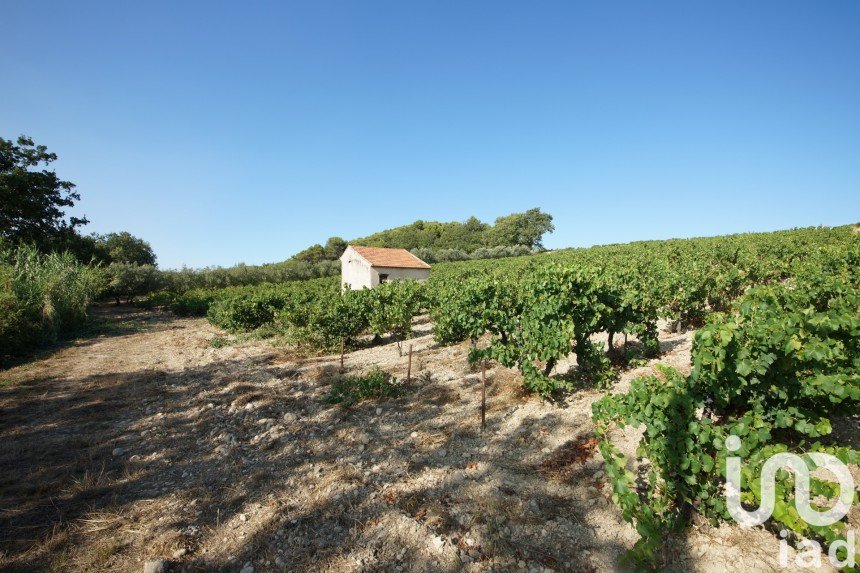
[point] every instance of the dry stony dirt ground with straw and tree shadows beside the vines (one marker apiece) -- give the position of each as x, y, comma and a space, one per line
154, 445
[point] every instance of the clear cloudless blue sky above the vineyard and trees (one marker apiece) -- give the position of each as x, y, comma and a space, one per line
227, 132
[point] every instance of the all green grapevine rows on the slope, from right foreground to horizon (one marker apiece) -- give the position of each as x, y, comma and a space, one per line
775, 358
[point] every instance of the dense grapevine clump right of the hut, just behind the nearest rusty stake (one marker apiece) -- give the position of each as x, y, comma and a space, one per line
539, 318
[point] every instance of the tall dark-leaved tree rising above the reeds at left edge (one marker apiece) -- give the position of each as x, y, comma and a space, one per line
32, 200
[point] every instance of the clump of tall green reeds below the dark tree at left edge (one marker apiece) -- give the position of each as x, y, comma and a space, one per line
42, 297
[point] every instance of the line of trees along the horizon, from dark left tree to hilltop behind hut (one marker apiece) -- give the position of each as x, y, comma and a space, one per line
33, 200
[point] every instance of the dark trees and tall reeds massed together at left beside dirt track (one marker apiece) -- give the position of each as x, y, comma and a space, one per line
40, 245
